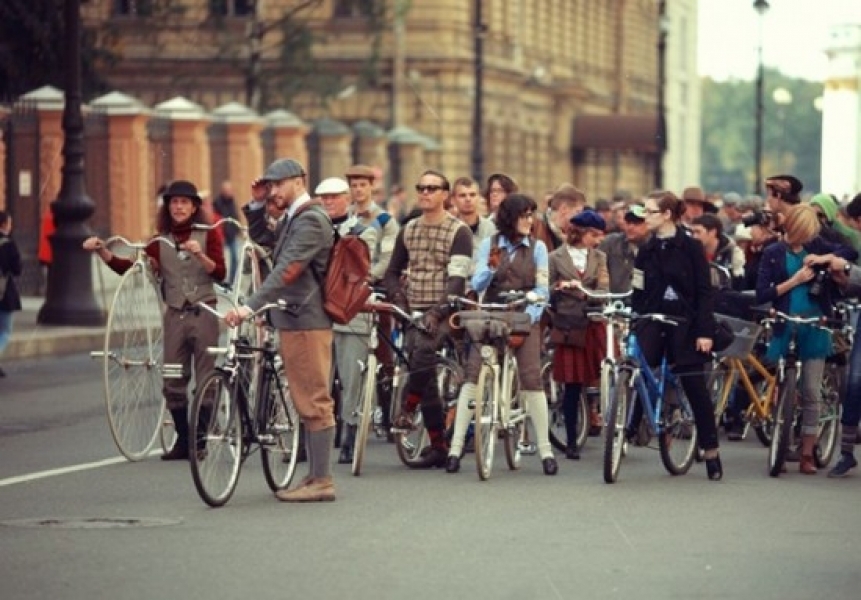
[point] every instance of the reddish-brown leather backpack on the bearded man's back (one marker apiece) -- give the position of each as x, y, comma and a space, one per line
345, 282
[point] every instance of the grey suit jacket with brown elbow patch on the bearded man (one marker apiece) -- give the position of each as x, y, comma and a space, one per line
302, 250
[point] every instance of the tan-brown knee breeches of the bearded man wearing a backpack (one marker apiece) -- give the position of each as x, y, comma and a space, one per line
307, 357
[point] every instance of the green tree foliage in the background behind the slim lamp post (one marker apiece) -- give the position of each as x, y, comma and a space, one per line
792, 134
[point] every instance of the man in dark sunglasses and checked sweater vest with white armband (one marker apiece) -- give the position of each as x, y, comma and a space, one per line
435, 249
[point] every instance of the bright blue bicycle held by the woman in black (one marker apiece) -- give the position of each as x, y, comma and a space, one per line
666, 410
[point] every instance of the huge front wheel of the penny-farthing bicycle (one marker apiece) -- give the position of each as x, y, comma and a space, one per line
132, 363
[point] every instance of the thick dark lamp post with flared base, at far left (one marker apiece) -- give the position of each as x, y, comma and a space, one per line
70, 299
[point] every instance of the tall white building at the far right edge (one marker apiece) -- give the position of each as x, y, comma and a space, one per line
841, 113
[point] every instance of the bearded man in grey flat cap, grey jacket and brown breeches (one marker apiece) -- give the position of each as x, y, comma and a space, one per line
304, 242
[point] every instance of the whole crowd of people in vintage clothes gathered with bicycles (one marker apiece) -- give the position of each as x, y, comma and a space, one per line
459, 239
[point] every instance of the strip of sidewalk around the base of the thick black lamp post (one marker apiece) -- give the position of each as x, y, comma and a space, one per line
32, 340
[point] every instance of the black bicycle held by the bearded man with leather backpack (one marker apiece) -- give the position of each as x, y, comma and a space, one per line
244, 403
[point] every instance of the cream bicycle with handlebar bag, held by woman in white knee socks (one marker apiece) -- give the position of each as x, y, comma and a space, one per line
499, 412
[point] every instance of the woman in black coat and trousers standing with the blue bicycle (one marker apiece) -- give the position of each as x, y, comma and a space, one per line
671, 276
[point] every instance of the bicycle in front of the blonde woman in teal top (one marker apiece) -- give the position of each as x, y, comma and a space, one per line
785, 412
